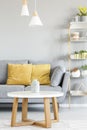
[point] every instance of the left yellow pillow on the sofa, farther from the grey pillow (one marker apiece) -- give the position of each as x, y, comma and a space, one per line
19, 74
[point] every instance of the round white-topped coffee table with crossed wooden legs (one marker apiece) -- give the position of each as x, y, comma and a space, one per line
25, 95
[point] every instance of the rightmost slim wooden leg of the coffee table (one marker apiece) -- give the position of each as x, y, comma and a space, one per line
55, 109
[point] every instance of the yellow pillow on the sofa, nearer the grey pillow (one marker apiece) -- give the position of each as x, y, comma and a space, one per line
41, 73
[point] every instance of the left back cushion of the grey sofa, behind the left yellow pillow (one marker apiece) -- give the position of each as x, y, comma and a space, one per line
4, 70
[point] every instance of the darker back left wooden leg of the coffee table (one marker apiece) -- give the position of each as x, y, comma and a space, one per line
24, 109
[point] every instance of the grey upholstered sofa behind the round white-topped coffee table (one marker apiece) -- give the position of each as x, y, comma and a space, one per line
4, 88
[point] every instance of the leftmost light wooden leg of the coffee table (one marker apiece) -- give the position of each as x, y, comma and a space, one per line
14, 112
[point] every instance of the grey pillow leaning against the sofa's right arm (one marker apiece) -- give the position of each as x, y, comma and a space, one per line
57, 76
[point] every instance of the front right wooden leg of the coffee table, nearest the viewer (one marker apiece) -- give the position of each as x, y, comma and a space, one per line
47, 113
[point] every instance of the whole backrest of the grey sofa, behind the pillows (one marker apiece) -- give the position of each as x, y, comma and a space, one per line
4, 65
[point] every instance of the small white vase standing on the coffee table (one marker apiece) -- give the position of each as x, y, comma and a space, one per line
35, 86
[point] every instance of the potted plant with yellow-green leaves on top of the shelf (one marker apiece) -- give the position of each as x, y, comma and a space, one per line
82, 13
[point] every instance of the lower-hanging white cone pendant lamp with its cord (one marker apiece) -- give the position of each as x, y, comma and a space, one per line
35, 20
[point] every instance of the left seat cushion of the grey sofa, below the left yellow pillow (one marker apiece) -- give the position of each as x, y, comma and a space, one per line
4, 89
